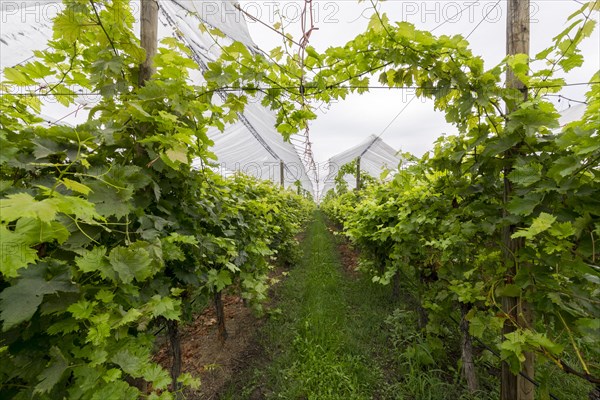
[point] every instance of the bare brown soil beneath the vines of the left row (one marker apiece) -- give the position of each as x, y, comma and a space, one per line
204, 356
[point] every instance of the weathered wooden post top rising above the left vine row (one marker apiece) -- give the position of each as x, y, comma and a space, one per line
149, 37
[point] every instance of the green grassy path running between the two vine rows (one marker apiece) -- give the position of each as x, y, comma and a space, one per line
332, 334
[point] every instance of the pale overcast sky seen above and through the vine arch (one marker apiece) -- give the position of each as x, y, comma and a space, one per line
349, 122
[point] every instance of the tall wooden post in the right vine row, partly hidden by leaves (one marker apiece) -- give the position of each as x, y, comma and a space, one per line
514, 387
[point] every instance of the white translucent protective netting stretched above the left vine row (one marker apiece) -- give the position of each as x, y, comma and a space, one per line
251, 145
